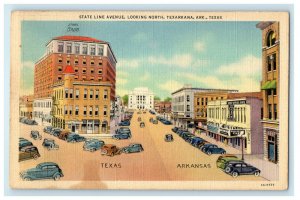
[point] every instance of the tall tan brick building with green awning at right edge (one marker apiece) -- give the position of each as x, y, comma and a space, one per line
270, 88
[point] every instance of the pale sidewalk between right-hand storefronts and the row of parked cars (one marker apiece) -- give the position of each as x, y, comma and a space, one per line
269, 170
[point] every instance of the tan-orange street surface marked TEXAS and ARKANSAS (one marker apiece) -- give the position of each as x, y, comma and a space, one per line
160, 160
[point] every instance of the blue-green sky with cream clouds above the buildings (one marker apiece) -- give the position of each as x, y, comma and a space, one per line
162, 56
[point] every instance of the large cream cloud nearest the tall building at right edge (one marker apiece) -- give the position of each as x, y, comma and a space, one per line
247, 66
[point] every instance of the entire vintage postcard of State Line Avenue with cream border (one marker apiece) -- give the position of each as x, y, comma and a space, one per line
149, 100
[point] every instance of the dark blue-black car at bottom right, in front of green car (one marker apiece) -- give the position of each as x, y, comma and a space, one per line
236, 169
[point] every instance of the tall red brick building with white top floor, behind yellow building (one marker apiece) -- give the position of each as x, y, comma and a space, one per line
93, 60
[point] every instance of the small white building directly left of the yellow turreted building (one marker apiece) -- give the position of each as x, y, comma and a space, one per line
42, 111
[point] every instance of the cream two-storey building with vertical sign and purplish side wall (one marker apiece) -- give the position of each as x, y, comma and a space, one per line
236, 121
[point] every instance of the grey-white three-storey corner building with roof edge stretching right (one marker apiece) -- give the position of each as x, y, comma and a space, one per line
183, 104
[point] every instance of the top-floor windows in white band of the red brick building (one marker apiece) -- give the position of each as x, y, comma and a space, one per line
80, 49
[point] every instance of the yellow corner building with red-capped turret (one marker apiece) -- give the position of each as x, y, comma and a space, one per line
82, 107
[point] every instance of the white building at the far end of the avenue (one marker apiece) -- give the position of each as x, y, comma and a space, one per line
141, 98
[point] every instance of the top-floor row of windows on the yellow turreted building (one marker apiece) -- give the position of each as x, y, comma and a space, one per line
91, 94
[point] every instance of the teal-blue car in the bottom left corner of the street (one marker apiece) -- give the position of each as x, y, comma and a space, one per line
46, 170
